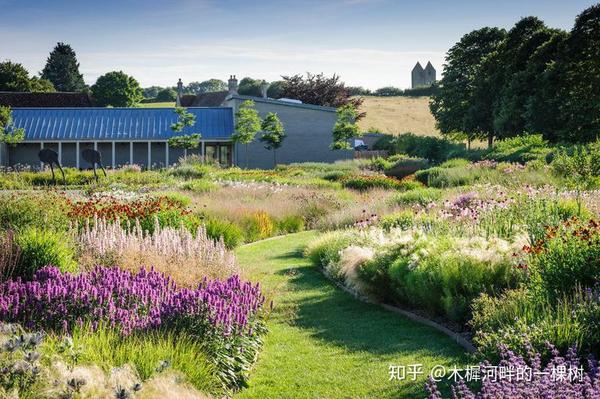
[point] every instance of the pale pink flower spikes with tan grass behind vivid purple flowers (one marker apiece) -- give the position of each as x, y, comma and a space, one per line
186, 257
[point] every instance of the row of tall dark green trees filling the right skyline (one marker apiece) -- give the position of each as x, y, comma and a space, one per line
530, 79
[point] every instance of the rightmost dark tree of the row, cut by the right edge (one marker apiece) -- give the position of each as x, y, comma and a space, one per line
581, 70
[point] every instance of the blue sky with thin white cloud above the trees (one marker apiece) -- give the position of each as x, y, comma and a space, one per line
369, 43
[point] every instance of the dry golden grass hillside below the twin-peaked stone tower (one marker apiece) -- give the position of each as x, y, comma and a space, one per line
398, 115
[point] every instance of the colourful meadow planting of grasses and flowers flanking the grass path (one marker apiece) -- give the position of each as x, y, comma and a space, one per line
130, 287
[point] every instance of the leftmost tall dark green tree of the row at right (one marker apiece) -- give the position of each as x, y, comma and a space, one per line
451, 102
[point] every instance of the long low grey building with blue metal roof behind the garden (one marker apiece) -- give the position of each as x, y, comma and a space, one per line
66, 123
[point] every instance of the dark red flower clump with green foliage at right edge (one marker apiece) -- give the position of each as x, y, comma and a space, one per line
566, 257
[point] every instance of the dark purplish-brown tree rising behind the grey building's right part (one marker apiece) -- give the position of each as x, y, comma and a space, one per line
319, 90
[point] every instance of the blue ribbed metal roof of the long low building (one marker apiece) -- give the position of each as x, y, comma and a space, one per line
98, 124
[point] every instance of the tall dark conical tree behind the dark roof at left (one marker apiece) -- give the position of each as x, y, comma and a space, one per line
62, 69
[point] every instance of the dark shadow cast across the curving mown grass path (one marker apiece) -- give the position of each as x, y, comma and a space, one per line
338, 318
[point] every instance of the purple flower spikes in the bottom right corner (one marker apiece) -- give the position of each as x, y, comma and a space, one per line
538, 381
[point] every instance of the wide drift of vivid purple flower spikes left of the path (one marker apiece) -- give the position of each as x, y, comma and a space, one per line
127, 301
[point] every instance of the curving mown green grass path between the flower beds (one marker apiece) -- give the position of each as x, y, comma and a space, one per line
323, 343
